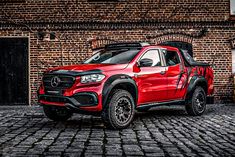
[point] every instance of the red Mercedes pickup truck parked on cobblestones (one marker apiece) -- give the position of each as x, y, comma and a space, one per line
124, 77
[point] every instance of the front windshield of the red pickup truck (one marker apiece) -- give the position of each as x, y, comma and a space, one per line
118, 56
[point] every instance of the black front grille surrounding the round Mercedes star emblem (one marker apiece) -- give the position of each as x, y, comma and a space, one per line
65, 81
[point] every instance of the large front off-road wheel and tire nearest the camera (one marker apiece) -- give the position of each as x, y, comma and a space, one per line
120, 106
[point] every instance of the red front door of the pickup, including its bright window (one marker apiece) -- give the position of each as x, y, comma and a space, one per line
151, 80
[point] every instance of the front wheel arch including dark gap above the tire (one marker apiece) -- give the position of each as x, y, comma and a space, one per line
120, 81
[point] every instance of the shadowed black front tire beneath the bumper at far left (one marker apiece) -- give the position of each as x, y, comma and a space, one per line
57, 113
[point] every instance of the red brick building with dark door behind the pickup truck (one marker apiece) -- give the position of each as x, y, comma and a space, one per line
37, 34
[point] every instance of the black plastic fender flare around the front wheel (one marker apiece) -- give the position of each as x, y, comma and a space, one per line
114, 80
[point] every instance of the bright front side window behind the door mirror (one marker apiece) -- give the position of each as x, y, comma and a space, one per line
154, 55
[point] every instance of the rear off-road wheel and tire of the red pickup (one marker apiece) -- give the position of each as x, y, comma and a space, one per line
196, 104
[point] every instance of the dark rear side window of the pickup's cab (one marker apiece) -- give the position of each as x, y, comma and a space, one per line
171, 58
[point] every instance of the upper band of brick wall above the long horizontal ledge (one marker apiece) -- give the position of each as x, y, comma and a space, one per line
122, 10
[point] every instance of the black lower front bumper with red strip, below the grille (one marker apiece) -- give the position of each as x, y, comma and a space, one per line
78, 100
